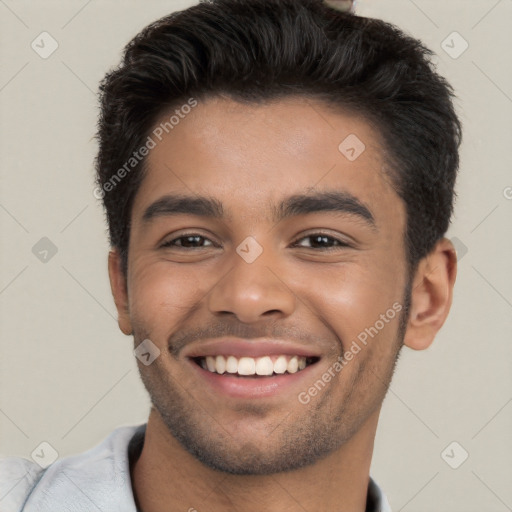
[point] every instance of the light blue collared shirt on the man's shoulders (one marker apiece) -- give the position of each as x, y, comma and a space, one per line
96, 480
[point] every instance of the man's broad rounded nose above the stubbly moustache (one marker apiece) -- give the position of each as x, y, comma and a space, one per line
252, 292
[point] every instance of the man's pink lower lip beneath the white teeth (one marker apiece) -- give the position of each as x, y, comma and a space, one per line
252, 387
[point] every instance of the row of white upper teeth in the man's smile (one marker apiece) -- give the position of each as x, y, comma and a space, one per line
254, 366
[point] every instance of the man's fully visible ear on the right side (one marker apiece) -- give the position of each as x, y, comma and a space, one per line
431, 295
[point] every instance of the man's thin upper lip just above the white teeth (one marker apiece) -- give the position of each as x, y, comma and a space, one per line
248, 348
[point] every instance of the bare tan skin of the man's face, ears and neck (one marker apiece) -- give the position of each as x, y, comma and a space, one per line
205, 450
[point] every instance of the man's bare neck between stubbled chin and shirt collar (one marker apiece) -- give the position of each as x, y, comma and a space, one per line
167, 477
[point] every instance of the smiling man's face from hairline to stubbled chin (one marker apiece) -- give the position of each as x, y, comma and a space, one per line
258, 245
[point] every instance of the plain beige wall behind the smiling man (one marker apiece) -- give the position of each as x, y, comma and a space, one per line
68, 376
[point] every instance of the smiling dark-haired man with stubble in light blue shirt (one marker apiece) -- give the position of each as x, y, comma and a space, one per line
278, 177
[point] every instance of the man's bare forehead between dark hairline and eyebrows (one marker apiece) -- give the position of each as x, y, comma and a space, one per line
251, 156
